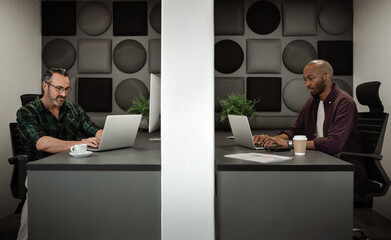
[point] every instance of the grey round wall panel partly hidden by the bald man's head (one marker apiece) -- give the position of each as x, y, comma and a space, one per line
297, 54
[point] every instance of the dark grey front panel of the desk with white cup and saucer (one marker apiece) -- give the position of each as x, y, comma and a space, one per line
94, 205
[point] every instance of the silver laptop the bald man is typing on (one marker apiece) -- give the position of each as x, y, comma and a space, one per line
242, 132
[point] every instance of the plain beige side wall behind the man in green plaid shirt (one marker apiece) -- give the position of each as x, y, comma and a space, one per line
20, 68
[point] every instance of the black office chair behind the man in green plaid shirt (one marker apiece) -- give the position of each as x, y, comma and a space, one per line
19, 159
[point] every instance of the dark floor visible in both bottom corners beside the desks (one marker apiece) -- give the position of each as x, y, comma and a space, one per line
375, 225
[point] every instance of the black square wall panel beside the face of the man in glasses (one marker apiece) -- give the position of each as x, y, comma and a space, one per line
95, 94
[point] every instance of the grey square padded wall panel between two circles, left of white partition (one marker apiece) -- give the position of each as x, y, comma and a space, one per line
94, 56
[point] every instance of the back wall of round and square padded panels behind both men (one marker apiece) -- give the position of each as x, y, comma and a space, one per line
261, 48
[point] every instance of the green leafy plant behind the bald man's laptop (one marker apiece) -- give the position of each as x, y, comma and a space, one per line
237, 104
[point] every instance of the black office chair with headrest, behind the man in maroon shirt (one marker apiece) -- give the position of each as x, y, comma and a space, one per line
372, 126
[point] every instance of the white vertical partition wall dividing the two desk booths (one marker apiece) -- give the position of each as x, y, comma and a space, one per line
187, 120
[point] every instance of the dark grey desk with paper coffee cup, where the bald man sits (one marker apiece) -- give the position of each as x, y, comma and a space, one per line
309, 197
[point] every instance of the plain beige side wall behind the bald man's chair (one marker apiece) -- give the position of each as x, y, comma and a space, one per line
372, 53
